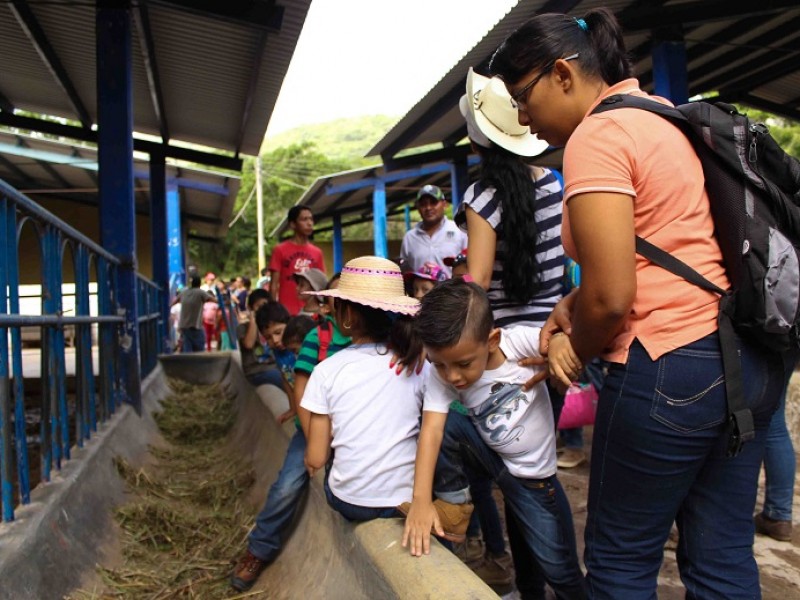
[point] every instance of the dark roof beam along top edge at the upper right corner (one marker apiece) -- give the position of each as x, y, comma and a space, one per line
645, 15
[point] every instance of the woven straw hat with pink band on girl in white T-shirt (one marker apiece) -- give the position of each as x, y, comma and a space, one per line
373, 281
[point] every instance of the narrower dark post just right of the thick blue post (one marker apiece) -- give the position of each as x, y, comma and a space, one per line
159, 235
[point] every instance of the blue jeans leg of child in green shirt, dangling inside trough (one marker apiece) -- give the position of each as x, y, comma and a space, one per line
283, 500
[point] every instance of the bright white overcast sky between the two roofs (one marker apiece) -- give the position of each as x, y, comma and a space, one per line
368, 57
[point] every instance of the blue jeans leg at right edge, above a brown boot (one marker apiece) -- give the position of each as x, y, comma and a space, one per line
779, 465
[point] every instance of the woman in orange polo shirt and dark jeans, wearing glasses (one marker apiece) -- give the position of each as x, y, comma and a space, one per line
659, 444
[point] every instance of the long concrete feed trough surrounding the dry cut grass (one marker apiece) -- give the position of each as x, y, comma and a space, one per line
52, 548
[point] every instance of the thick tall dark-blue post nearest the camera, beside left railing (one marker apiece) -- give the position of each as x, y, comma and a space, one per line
115, 157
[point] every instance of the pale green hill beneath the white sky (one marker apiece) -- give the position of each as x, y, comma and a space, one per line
348, 139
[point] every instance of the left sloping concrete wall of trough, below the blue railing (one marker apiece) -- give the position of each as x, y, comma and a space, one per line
66, 529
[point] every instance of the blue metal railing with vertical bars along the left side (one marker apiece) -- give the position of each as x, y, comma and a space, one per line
64, 422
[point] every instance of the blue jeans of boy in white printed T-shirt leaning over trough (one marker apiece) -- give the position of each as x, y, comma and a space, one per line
539, 506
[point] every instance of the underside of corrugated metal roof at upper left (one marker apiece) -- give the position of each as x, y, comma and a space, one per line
206, 64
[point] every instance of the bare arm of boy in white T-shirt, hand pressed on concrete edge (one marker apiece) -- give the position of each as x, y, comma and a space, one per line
422, 515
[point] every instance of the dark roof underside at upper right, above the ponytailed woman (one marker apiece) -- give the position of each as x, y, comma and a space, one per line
730, 46
